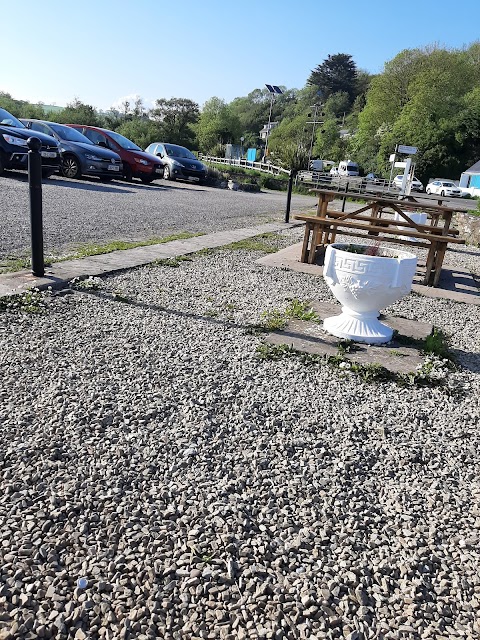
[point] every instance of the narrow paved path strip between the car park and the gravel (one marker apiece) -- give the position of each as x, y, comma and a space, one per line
60, 273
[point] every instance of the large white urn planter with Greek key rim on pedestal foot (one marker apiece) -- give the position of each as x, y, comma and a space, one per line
364, 284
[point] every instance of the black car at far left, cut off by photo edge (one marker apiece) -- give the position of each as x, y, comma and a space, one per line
14, 148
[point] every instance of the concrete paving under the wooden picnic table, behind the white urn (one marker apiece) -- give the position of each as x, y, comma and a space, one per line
455, 284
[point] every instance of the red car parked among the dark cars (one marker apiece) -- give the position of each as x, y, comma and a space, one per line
136, 163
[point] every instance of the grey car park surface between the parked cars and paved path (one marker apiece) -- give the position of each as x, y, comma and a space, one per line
77, 212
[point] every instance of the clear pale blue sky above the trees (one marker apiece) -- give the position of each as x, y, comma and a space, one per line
101, 51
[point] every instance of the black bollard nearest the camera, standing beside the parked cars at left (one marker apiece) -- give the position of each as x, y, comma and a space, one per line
36, 221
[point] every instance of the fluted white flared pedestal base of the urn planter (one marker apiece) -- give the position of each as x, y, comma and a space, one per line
359, 327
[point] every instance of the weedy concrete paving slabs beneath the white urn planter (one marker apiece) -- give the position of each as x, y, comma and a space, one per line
397, 357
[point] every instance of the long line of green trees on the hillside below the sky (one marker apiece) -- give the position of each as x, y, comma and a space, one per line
428, 98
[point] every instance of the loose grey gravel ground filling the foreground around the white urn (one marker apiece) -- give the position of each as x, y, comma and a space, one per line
160, 481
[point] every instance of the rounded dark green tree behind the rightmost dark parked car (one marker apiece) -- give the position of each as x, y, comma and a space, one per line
176, 117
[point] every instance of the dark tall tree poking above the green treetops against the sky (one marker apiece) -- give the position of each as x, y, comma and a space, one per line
336, 73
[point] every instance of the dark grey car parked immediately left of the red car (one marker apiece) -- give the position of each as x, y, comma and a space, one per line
79, 155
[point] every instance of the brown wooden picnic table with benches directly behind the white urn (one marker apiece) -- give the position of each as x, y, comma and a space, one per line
321, 229
